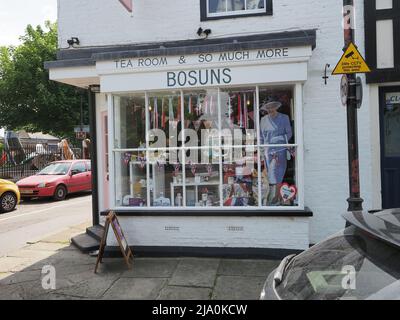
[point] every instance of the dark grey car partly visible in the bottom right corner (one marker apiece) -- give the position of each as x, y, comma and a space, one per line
361, 262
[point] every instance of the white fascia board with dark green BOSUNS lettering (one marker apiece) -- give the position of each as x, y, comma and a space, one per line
209, 77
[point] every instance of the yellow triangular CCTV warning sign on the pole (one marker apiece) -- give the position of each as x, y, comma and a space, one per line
351, 62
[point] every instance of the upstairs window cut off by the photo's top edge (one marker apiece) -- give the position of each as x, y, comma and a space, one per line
217, 9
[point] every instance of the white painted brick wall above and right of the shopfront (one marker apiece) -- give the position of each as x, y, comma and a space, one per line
106, 22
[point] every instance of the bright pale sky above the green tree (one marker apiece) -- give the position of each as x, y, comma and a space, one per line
15, 15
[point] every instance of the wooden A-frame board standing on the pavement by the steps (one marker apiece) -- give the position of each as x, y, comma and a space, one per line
112, 221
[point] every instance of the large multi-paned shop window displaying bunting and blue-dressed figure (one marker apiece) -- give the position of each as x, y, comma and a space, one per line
215, 148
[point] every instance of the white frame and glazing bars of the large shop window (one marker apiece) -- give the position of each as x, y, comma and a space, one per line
298, 144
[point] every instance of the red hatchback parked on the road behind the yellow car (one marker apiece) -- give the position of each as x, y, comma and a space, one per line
57, 180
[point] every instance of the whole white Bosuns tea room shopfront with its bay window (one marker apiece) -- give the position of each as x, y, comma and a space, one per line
201, 147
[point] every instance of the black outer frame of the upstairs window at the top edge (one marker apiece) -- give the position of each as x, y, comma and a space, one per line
205, 16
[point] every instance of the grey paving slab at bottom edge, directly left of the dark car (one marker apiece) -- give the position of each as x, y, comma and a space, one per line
238, 288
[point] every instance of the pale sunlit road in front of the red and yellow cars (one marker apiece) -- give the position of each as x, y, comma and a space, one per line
37, 219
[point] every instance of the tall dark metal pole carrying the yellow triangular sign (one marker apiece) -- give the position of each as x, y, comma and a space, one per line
355, 201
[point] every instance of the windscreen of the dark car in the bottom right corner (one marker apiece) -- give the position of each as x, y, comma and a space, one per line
350, 265
